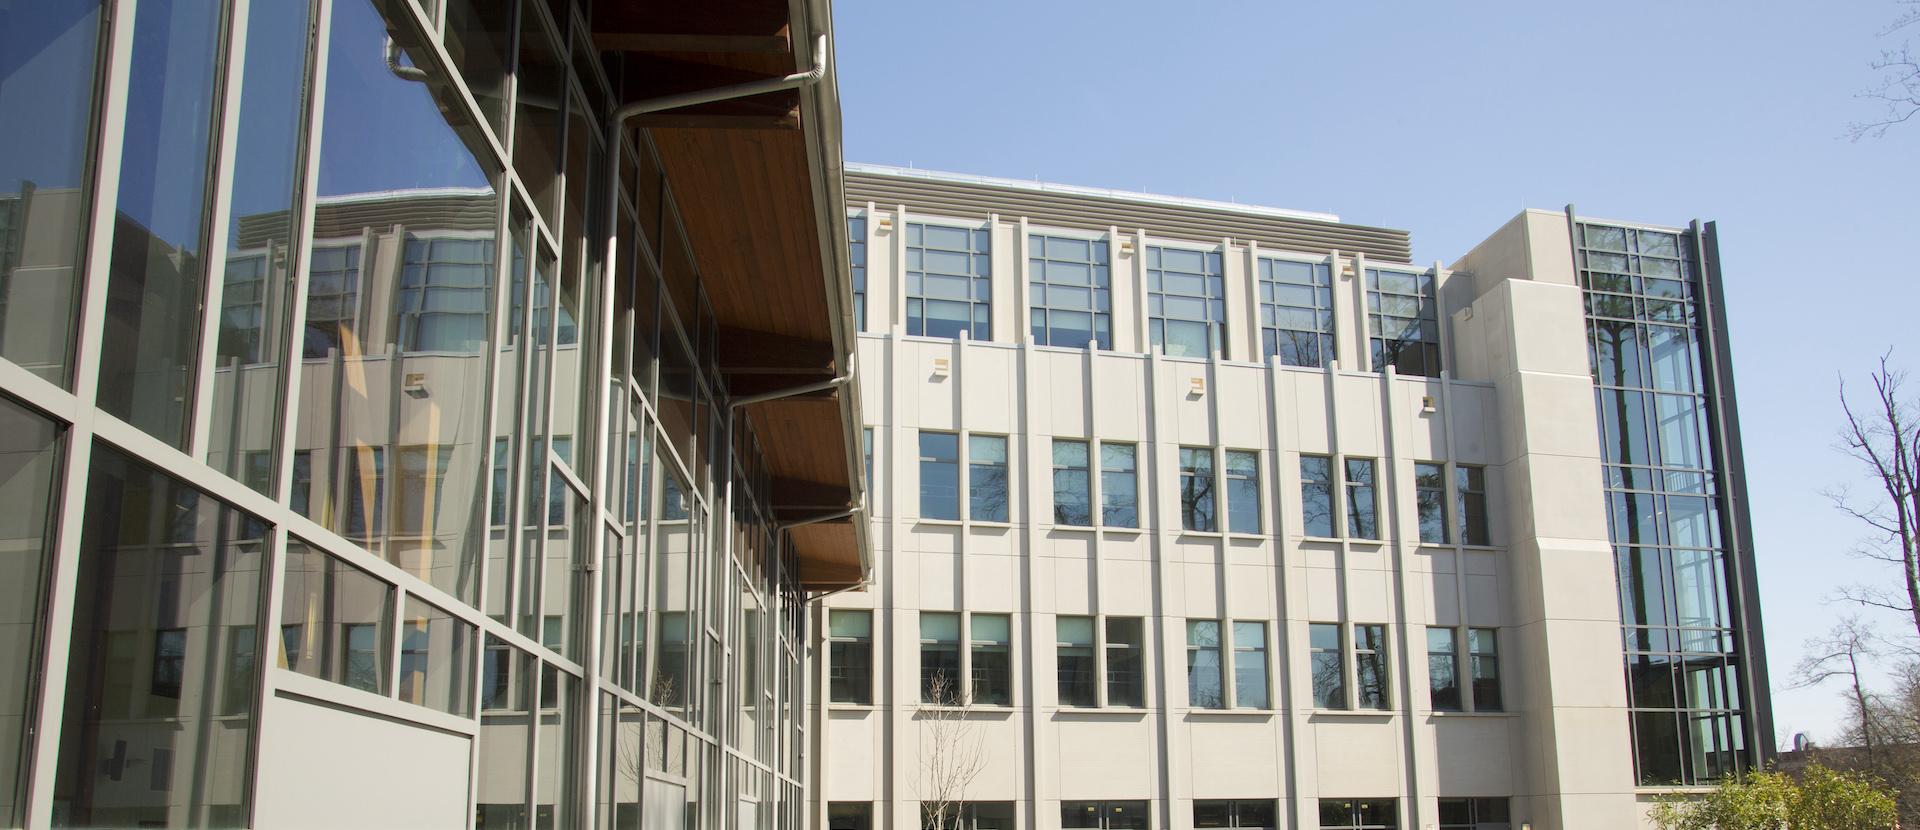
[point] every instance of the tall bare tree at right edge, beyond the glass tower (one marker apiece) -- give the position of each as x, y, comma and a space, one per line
1886, 439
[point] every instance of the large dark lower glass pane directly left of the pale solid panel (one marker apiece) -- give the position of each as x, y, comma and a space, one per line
164, 631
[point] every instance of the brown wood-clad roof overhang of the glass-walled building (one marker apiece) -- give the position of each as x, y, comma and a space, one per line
759, 189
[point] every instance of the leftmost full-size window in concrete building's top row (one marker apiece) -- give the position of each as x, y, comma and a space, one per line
949, 281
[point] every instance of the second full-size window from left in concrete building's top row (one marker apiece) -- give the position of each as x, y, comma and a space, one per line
1070, 293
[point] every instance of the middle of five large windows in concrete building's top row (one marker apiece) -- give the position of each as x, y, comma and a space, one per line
1186, 303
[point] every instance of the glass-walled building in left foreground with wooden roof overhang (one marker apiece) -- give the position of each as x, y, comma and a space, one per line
400, 427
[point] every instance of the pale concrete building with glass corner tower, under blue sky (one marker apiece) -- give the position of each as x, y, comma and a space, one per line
1203, 516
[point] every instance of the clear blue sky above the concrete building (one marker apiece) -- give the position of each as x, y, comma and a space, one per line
1447, 120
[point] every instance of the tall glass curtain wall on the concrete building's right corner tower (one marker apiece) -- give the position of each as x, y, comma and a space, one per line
1644, 318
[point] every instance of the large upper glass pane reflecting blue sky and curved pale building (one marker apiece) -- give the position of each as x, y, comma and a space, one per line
418, 187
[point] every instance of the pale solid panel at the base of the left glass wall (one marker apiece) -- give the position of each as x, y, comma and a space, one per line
377, 773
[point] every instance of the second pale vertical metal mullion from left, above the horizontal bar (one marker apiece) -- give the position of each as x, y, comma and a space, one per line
218, 203
